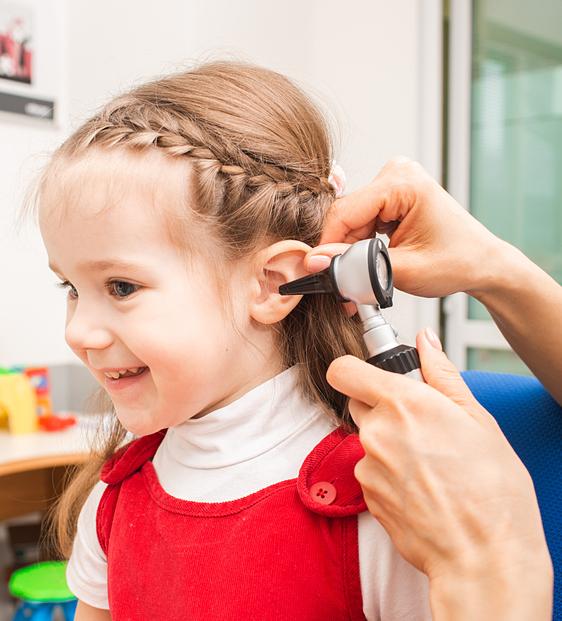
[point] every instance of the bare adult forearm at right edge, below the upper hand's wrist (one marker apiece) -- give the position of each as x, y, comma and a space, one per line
526, 304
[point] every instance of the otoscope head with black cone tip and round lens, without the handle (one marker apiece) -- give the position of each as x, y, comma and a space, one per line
362, 275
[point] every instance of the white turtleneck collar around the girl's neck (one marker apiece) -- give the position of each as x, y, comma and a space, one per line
253, 424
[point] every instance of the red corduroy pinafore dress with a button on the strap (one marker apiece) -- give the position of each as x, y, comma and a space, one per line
286, 552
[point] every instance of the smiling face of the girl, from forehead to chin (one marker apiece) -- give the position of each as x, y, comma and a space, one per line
133, 301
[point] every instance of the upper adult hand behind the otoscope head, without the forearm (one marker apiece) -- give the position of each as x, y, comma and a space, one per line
433, 241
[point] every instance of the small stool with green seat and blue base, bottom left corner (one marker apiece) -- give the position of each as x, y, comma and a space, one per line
42, 589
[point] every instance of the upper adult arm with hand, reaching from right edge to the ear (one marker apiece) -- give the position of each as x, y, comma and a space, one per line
437, 248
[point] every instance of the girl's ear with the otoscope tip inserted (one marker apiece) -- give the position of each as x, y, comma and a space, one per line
275, 265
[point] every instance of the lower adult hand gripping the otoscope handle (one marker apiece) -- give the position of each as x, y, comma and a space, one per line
444, 482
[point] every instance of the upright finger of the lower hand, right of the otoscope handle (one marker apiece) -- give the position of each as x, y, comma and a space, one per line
440, 373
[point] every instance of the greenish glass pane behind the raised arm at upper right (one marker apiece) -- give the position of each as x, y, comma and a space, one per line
516, 128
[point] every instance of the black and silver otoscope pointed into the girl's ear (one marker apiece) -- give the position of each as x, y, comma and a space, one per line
363, 275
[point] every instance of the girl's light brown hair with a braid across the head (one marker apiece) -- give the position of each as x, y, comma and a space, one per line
260, 154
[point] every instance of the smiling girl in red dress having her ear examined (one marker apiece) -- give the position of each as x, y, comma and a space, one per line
172, 217
